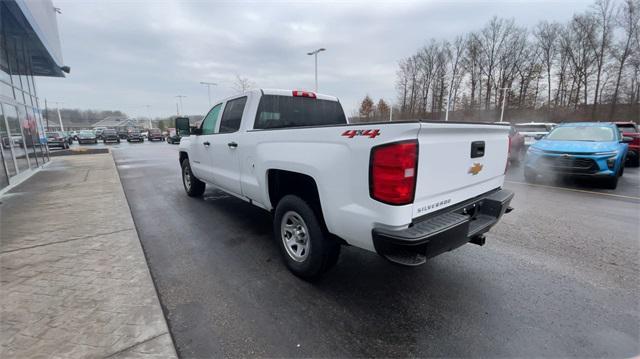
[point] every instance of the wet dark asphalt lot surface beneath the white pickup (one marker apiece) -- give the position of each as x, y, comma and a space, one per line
558, 277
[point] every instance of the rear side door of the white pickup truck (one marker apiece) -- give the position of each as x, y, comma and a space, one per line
225, 146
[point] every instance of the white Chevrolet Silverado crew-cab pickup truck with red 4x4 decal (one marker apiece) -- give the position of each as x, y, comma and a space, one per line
406, 190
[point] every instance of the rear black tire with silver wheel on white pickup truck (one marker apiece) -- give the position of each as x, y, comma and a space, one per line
306, 249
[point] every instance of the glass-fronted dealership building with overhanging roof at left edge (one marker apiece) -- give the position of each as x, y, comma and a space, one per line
29, 47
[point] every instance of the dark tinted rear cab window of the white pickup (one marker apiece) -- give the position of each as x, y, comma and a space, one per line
277, 111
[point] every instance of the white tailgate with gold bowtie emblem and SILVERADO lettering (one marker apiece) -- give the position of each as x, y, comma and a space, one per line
457, 162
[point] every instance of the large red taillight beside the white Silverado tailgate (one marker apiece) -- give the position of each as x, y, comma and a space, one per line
392, 172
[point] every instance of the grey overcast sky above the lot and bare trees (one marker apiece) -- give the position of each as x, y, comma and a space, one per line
125, 55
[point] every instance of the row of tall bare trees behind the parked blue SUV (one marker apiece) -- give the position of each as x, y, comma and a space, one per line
589, 64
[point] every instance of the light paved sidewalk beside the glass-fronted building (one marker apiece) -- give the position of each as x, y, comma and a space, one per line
73, 278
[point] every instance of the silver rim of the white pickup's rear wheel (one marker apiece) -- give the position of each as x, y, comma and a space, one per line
295, 236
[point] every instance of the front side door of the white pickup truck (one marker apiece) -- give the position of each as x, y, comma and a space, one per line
201, 146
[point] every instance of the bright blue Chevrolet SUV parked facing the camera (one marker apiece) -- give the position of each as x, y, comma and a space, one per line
585, 149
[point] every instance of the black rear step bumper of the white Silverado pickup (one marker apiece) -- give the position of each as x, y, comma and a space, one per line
443, 231
